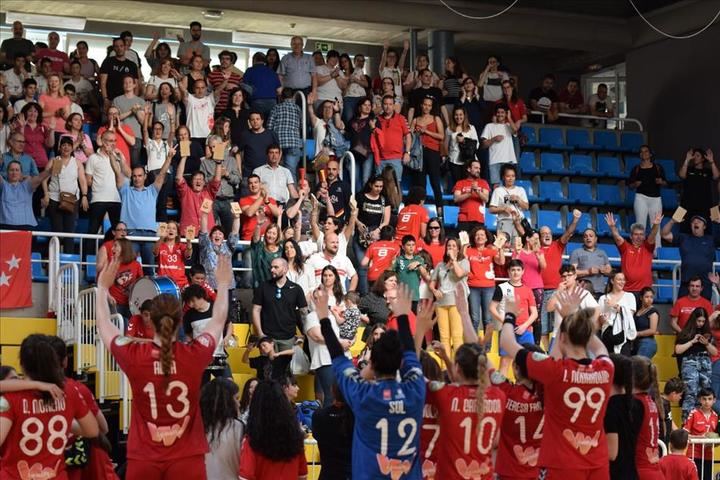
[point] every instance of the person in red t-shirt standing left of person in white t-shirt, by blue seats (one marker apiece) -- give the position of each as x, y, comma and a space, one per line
471, 194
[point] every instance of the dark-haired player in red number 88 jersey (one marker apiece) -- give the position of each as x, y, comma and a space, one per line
34, 426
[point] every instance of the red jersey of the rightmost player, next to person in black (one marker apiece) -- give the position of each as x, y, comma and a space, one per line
647, 455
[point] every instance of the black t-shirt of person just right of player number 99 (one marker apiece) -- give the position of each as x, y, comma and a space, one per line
626, 425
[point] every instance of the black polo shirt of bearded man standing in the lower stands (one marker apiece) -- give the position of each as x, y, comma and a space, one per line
279, 315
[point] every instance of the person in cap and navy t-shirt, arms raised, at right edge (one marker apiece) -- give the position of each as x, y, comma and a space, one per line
697, 252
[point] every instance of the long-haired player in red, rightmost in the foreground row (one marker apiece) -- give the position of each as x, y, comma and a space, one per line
647, 455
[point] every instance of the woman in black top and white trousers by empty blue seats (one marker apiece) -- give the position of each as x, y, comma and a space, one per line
646, 178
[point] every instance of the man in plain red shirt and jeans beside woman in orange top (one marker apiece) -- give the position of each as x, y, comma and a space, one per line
391, 139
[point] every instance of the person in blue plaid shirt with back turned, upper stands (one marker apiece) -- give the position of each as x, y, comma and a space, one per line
284, 120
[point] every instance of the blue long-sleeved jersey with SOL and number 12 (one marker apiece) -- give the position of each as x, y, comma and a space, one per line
388, 419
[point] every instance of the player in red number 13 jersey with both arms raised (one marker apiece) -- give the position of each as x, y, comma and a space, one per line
167, 439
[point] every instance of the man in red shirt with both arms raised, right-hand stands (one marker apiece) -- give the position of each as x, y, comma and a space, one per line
635, 256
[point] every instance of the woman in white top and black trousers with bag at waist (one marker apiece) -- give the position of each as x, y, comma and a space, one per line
67, 184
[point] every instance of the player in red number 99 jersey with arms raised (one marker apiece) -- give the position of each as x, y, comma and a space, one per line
575, 391
